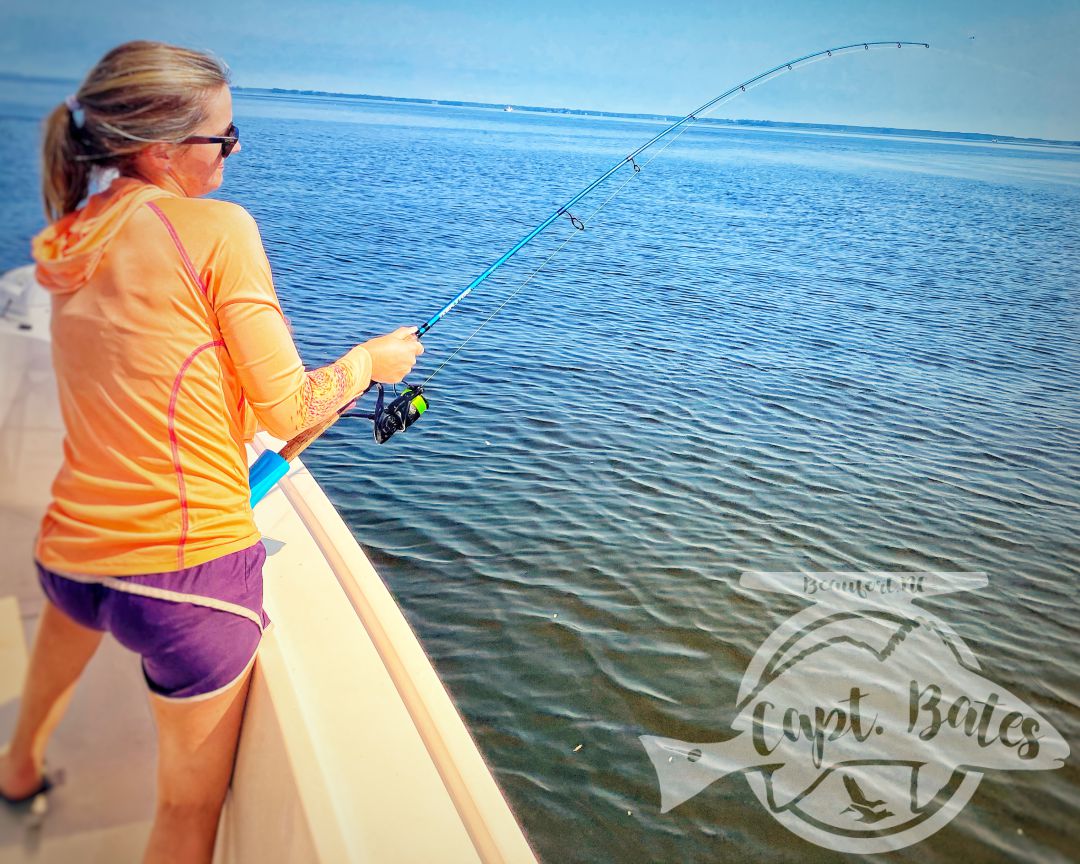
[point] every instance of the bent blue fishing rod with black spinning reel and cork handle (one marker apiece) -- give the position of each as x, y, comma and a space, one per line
406, 409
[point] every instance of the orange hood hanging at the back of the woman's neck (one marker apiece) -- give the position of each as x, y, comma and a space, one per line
70, 250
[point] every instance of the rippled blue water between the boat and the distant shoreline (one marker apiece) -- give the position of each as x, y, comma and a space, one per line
774, 352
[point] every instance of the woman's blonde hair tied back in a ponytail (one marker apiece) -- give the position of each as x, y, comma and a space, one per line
138, 94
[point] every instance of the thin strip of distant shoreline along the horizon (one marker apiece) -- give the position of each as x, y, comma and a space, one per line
976, 138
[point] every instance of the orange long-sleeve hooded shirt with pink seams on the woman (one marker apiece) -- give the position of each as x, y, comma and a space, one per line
169, 344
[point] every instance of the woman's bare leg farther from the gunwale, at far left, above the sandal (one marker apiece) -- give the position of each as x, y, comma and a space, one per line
61, 653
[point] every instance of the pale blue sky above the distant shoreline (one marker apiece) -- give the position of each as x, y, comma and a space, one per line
1019, 75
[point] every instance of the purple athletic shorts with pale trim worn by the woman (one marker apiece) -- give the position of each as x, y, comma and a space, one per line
197, 629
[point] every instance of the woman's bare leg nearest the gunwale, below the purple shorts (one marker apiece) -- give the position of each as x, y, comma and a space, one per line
197, 749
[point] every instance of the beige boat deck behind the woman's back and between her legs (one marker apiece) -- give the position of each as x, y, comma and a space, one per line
105, 748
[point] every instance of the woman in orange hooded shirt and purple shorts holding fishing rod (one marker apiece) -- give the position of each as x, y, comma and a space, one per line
169, 346
